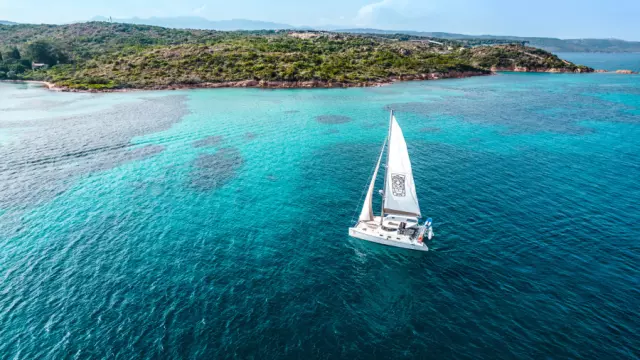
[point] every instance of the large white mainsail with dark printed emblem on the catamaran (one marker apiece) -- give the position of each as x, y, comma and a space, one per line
400, 194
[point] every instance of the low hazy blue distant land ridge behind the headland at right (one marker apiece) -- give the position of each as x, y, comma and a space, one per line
549, 44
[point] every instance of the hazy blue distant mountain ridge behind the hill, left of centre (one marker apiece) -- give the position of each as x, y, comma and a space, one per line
195, 22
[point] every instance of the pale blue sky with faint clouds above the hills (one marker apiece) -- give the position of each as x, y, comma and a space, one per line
550, 18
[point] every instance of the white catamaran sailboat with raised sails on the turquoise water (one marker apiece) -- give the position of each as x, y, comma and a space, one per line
398, 223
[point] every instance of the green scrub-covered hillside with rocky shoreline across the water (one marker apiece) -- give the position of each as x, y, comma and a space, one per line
100, 55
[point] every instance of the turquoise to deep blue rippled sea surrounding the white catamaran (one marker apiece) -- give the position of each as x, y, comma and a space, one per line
213, 223
